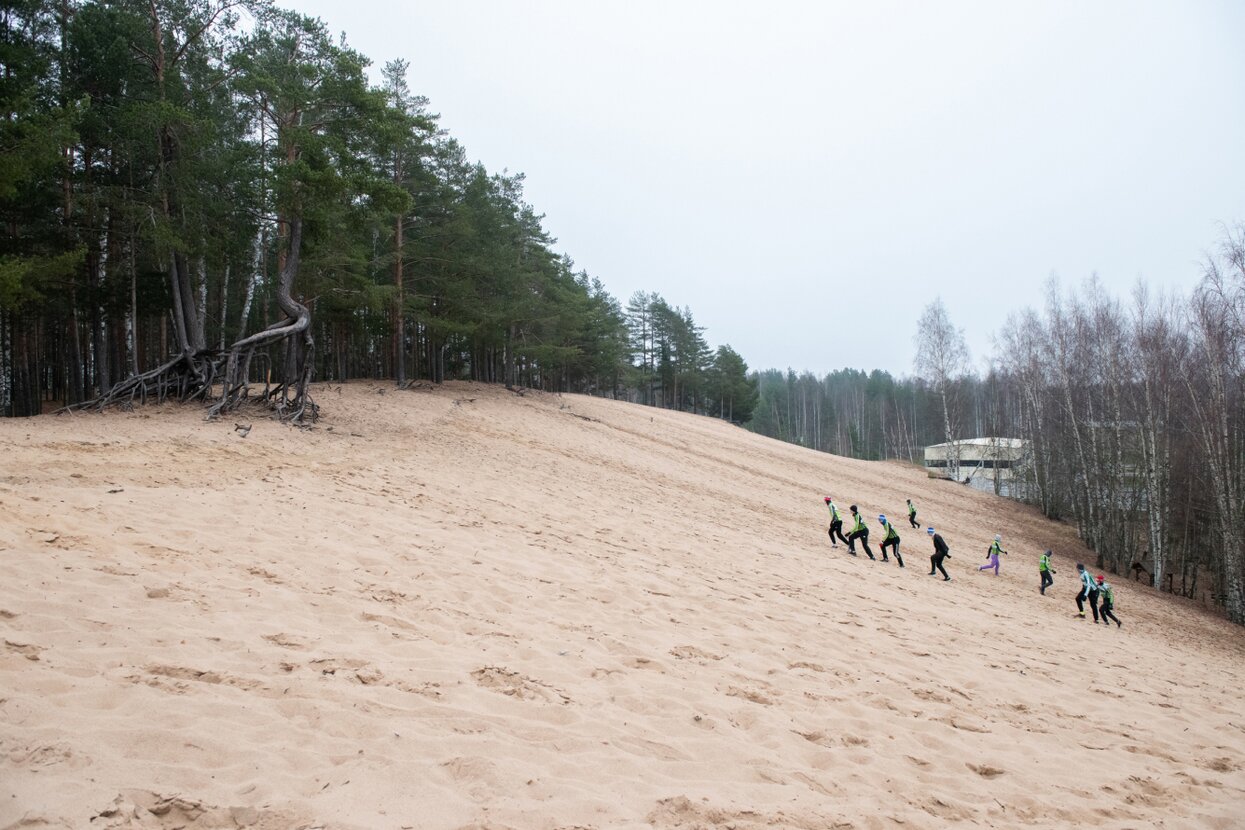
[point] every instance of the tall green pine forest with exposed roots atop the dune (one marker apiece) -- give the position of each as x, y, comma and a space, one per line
209, 200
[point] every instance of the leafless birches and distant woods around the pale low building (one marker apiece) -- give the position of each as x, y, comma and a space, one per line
1134, 411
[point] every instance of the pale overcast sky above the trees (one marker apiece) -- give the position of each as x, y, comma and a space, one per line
809, 176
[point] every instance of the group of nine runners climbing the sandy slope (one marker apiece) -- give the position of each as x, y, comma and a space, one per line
1096, 590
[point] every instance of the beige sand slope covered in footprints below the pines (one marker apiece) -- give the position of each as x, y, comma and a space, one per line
461, 608
